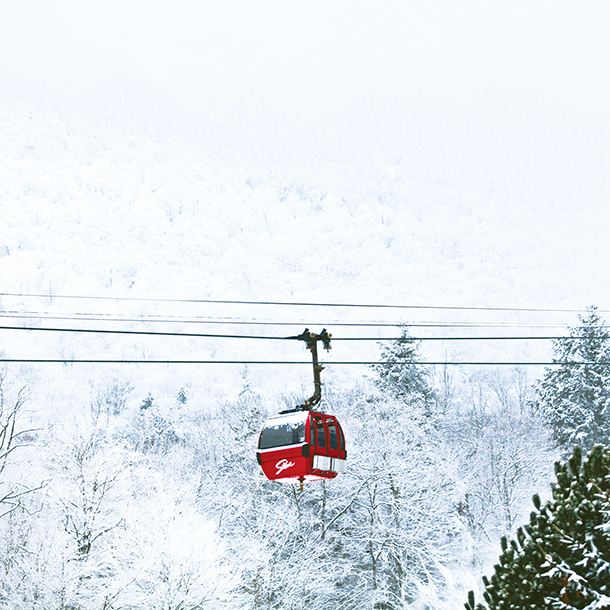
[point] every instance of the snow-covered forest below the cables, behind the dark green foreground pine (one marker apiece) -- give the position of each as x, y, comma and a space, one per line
131, 505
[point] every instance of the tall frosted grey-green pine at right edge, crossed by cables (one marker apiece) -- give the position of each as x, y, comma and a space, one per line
575, 399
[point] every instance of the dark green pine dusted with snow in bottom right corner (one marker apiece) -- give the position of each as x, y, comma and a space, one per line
561, 559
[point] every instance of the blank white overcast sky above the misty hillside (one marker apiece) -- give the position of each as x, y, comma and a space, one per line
506, 65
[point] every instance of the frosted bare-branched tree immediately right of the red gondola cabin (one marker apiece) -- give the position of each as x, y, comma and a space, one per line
404, 524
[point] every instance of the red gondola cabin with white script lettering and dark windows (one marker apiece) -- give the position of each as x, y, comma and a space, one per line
301, 446
